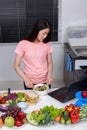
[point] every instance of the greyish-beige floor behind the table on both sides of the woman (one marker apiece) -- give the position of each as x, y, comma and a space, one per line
18, 85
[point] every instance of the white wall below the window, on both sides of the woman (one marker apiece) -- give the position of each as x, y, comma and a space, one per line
7, 59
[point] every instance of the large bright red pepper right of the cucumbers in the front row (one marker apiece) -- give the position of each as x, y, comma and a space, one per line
74, 116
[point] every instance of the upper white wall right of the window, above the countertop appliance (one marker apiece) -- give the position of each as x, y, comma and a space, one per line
74, 13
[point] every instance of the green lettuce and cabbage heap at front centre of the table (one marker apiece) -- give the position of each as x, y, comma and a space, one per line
44, 116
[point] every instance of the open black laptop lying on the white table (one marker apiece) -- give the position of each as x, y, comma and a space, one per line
67, 93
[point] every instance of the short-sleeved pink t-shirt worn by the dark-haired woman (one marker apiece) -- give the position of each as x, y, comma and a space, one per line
35, 59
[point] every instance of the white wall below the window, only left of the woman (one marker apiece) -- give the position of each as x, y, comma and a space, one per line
6, 65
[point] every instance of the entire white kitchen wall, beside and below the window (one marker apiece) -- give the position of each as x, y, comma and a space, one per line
73, 12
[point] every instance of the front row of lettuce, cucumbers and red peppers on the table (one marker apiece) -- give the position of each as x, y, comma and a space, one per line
50, 114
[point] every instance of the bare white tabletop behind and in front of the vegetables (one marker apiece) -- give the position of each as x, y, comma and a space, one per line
47, 100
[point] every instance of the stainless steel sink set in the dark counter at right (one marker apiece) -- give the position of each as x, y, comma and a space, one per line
80, 50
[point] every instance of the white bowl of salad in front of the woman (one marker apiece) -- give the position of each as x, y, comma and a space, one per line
38, 87
